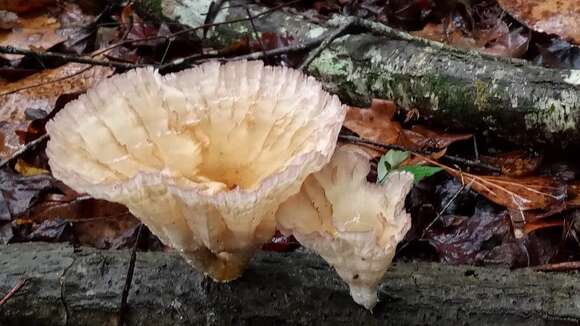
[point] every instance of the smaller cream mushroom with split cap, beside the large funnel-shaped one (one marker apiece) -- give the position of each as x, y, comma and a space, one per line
353, 224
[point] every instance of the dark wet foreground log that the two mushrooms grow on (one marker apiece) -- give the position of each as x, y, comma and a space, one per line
83, 286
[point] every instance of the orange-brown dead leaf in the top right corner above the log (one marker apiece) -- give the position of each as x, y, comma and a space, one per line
560, 17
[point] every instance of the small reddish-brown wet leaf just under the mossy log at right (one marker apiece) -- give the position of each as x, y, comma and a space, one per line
515, 163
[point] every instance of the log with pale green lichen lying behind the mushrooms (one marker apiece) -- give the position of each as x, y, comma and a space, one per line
512, 99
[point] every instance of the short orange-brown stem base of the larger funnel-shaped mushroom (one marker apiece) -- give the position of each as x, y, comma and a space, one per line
221, 267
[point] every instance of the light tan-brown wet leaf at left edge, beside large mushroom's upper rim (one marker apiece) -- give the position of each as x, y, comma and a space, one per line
40, 92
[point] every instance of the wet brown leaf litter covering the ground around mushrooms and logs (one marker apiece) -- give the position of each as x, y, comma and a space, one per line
463, 216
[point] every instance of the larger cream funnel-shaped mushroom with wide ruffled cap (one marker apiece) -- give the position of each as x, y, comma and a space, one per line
203, 157
